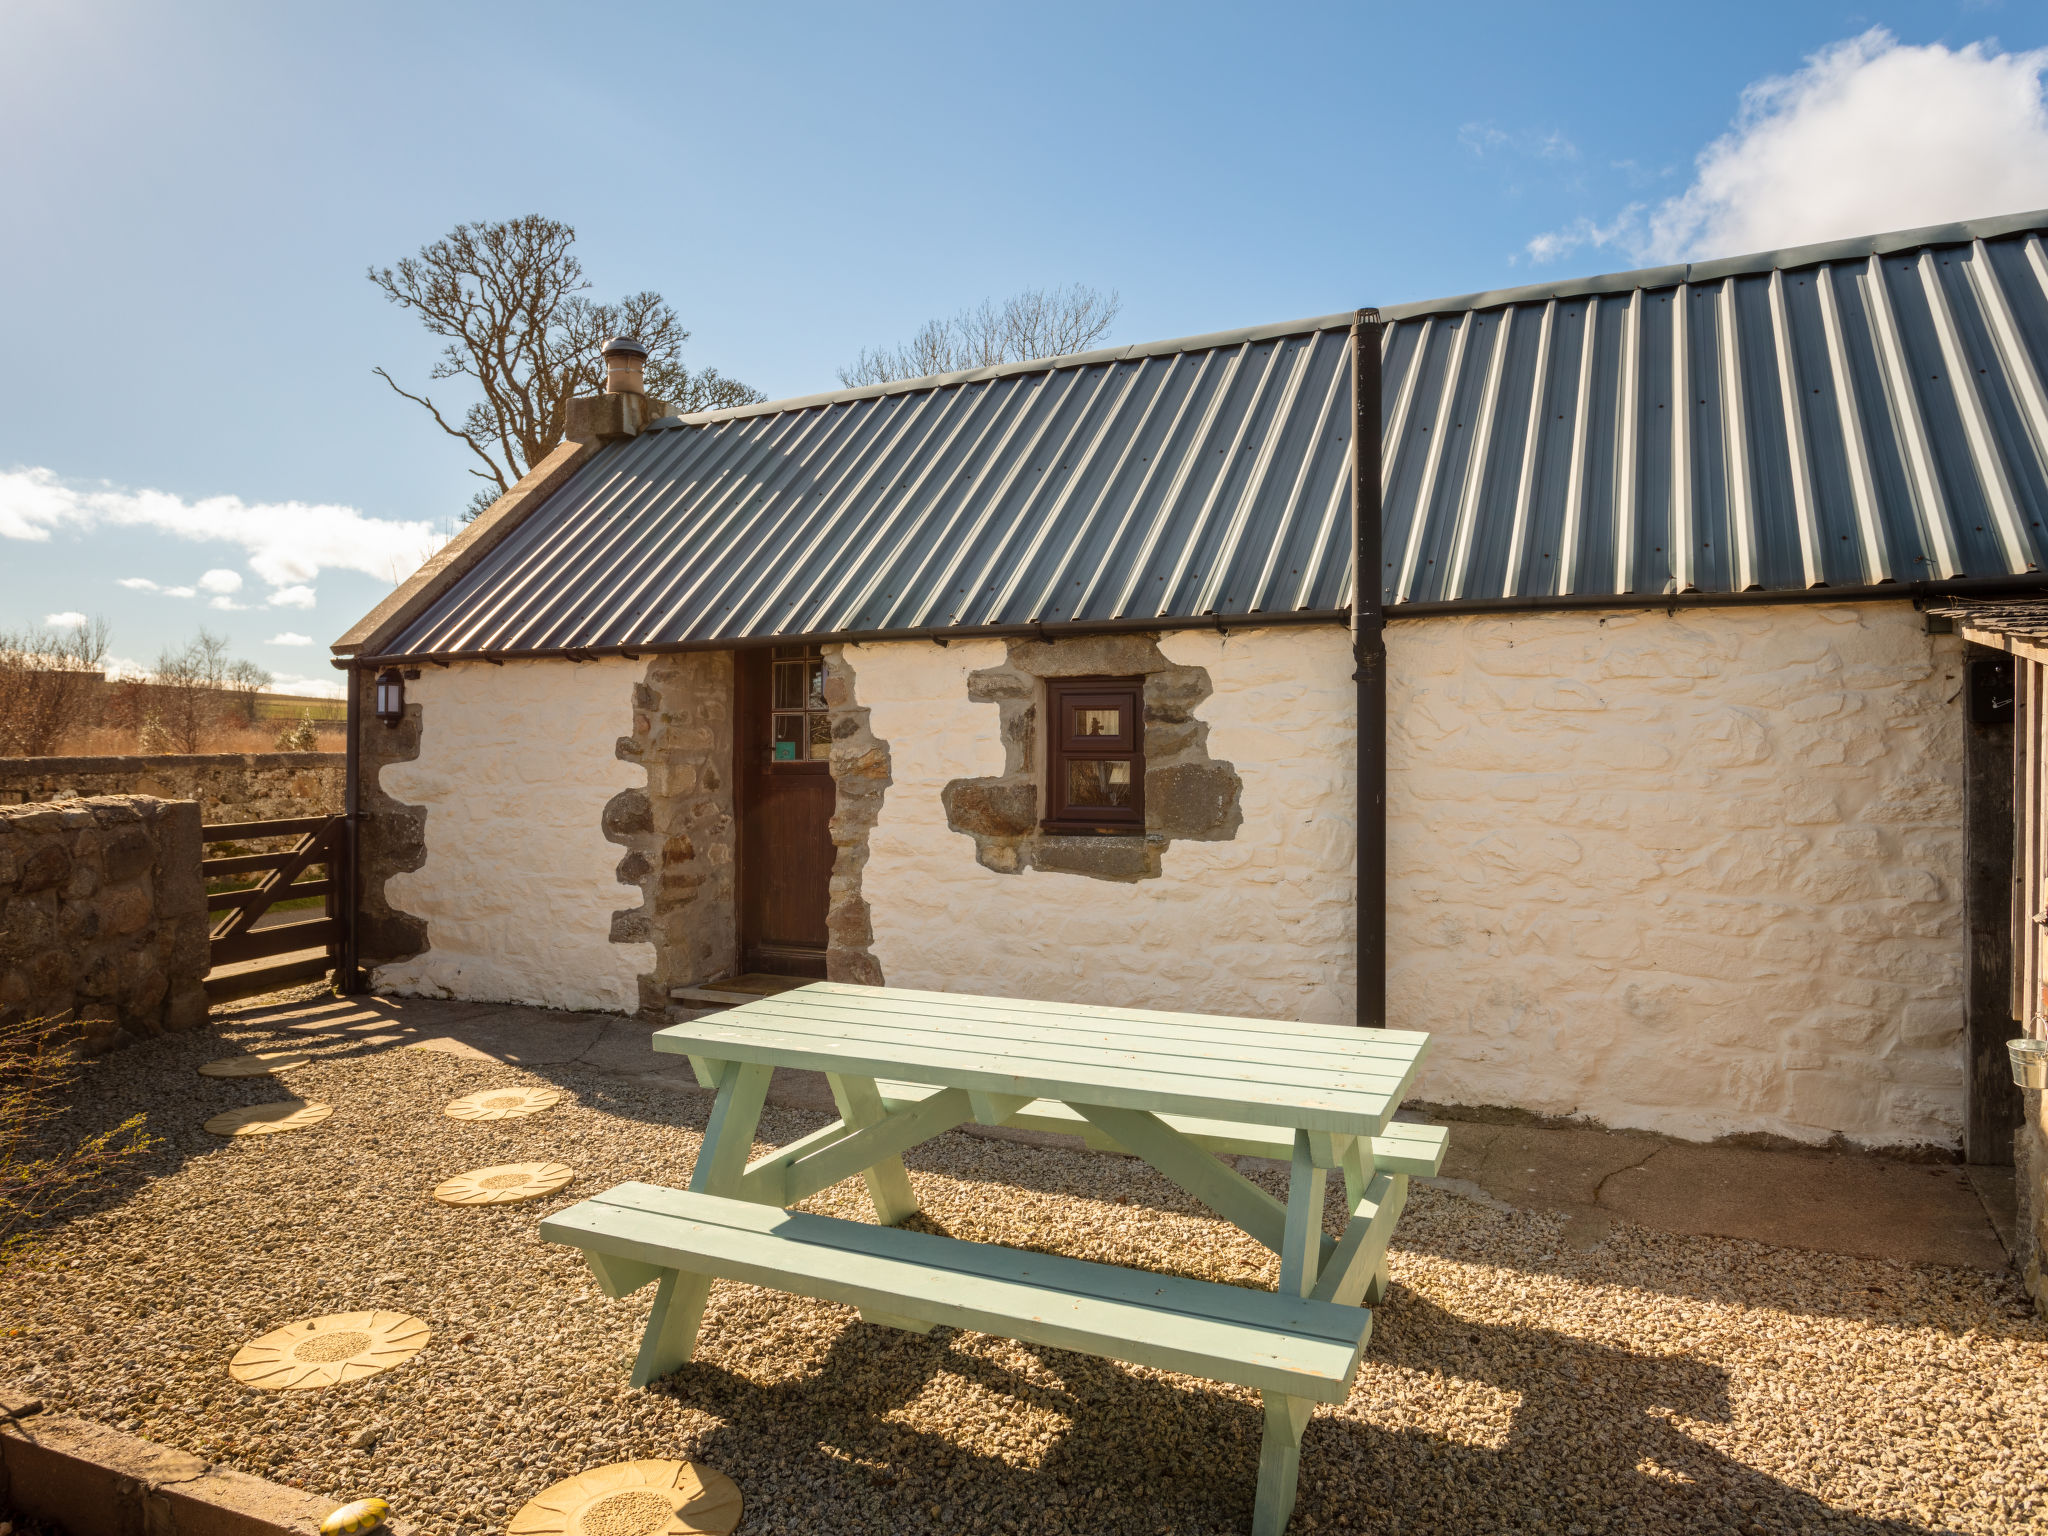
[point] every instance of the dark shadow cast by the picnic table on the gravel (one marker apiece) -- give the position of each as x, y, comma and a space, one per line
1596, 1445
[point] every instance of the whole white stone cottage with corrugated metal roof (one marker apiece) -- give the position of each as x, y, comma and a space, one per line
1039, 681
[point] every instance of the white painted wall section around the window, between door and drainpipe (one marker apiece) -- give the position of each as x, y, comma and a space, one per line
1261, 925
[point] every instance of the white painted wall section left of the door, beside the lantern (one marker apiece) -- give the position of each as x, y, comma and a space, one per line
515, 769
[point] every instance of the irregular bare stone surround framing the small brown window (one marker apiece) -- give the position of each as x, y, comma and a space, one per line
1187, 792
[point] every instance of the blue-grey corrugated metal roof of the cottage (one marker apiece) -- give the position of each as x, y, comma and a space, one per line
1842, 417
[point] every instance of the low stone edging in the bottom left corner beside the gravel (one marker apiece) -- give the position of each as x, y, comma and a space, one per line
87, 1480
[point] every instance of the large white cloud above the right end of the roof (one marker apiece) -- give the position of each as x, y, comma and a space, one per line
1869, 136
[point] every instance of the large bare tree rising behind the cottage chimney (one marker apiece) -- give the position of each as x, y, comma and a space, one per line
509, 302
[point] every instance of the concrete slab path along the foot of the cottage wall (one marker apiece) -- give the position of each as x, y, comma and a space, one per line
1840, 1203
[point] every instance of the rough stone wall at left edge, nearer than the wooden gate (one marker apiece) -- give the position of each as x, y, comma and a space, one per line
103, 916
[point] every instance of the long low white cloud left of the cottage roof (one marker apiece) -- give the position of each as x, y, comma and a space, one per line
288, 544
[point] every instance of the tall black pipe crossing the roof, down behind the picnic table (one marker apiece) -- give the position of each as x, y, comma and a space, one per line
1369, 654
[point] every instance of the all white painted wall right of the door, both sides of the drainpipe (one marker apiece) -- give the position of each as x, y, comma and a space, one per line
1695, 873
